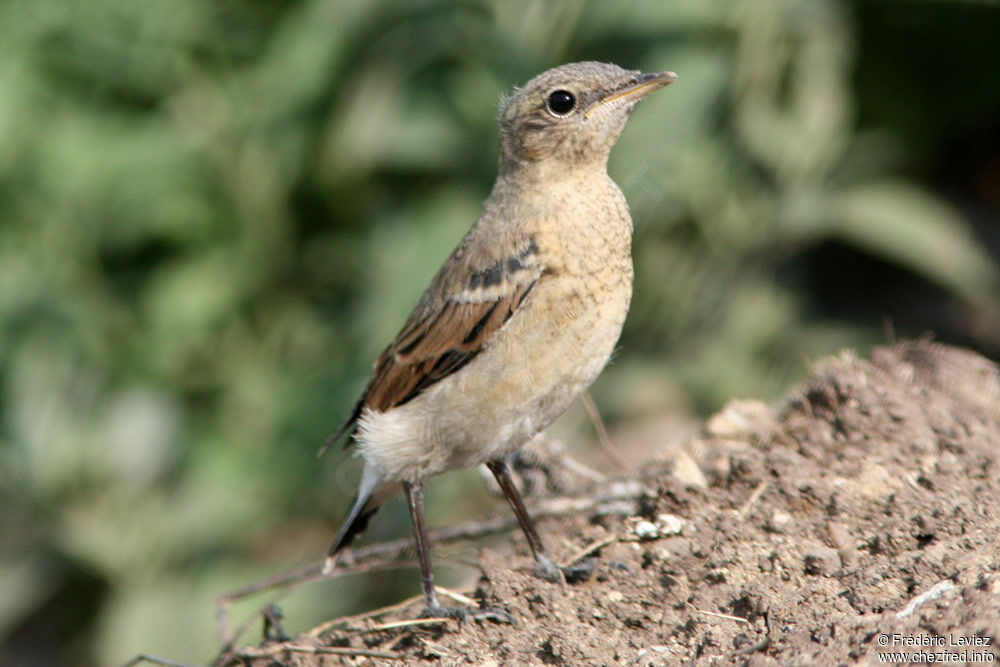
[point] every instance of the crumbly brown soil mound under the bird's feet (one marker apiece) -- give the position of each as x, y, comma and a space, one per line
868, 506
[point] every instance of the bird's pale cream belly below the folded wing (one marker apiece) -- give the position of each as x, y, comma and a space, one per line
512, 390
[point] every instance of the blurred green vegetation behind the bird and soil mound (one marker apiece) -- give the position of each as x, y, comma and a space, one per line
213, 215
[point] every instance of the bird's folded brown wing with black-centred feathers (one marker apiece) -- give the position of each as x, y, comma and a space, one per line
468, 302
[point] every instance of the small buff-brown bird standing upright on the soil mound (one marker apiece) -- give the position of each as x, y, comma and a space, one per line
521, 318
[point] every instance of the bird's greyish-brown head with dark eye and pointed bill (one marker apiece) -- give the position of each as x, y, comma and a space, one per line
571, 114
